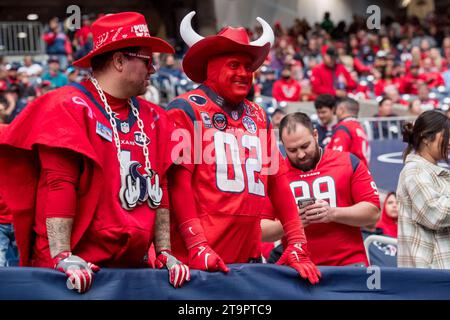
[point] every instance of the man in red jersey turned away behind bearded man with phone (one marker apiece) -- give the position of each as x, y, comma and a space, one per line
348, 134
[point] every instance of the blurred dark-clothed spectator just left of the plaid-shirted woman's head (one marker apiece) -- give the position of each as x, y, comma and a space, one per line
385, 129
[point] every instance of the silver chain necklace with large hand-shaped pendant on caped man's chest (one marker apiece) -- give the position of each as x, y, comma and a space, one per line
135, 188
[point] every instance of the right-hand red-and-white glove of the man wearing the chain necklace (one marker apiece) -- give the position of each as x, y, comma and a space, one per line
178, 272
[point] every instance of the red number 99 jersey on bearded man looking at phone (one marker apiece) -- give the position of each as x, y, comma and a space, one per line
343, 180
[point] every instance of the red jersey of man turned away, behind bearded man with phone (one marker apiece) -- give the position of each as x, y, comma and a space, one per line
350, 136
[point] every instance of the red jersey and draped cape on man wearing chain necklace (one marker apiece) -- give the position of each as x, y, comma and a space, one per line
103, 233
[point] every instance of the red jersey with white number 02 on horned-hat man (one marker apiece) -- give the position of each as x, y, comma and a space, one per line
230, 162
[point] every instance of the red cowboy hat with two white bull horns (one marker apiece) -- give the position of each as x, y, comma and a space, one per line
228, 40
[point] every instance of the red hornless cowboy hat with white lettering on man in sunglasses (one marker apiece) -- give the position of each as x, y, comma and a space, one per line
121, 30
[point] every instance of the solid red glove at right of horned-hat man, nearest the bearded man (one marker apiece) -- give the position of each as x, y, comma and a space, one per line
296, 254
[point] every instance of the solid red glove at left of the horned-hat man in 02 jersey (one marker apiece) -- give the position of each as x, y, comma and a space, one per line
202, 257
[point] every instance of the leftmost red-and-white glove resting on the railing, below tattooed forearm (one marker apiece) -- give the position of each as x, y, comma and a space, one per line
80, 274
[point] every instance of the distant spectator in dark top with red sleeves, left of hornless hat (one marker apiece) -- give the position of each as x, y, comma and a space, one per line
58, 43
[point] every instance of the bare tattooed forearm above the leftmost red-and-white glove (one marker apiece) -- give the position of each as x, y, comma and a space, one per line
59, 231
